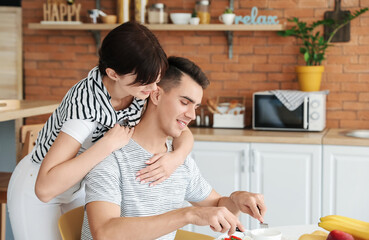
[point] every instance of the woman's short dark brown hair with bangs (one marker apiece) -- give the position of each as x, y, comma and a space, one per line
131, 47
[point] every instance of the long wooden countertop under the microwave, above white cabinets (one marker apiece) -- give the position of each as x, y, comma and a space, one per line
327, 136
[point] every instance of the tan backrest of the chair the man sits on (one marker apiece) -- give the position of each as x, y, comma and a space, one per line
70, 224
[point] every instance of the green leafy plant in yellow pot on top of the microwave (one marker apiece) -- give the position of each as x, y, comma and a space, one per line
313, 47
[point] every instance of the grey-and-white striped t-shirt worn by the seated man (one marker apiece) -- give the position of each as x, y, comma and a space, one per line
113, 180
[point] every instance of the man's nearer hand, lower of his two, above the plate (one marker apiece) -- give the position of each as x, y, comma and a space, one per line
220, 219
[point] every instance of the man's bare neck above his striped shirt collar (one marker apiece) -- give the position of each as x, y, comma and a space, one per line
149, 135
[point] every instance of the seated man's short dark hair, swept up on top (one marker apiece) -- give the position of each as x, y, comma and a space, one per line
179, 66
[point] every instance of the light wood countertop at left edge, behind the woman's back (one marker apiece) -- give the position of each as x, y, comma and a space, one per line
14, 109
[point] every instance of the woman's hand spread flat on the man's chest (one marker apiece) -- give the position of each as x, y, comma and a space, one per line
161, 166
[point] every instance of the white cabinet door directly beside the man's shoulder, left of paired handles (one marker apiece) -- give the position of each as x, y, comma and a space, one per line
224, 166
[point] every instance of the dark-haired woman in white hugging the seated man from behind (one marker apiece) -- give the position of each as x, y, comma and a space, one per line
95, 118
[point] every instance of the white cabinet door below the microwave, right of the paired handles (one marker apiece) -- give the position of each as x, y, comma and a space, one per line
289, 176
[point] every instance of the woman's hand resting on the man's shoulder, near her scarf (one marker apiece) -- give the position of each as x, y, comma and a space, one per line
117, 137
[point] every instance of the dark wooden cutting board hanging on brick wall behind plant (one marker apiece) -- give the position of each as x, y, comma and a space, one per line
342, 35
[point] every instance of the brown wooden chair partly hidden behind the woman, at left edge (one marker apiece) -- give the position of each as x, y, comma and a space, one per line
28, 136
